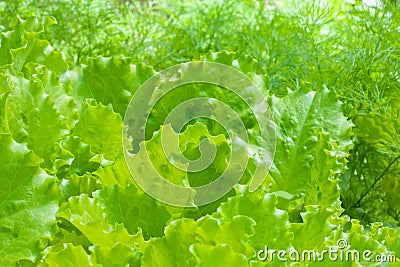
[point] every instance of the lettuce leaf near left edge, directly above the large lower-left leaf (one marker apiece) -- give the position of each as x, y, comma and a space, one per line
33, 118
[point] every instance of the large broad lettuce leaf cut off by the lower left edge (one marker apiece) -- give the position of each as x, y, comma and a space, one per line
28, 204
